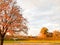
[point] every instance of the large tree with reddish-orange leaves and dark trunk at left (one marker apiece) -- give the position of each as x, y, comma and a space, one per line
11, 19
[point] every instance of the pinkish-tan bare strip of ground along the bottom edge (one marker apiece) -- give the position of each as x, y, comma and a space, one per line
31, 43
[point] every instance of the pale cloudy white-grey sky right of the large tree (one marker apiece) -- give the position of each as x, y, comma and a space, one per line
41, 13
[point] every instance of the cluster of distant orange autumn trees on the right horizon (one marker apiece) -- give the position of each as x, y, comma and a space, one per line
44, 34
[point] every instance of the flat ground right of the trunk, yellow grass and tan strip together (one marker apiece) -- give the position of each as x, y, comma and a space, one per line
32, 42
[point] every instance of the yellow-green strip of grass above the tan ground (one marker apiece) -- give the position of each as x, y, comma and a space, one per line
33, 41
